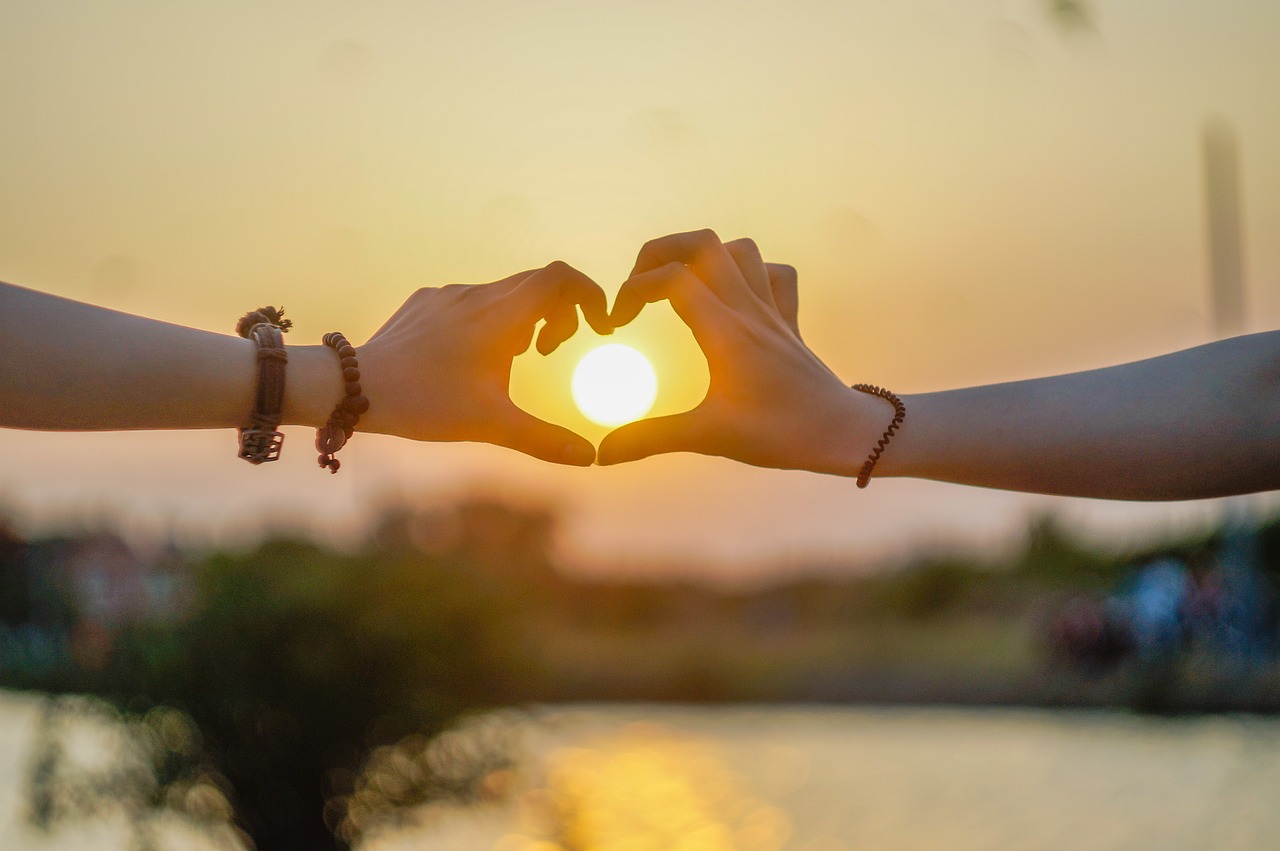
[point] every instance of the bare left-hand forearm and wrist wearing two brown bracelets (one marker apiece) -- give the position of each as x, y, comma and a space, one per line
75, 367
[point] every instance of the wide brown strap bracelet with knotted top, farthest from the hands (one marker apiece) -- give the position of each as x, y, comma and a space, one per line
262, 440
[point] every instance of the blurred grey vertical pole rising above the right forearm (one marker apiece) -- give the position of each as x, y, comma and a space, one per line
1223, 207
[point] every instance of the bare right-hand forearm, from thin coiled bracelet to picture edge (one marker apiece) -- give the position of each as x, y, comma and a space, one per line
1194, 424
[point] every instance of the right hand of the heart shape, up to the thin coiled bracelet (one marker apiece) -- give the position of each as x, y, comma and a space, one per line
771, 402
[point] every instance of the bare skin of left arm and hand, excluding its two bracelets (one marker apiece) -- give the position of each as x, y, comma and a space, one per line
438, 370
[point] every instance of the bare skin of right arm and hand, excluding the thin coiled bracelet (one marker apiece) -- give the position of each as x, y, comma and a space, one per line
1195, 424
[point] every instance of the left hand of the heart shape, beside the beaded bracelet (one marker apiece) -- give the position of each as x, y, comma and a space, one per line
441, 368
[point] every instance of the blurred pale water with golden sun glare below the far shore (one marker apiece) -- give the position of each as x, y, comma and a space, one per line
634, 779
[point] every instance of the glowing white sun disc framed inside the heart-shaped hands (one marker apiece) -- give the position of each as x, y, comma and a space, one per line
615, 385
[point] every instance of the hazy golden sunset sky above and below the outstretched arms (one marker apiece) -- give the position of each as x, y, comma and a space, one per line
972, 191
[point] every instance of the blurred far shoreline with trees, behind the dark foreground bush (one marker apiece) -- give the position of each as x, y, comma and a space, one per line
1183, 626
